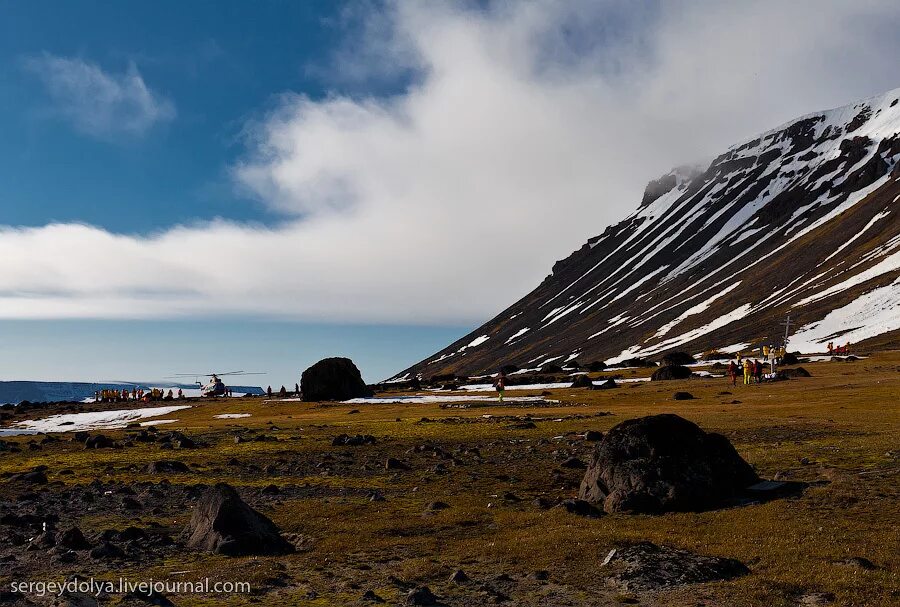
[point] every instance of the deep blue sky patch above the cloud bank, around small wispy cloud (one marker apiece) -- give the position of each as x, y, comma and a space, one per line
218, 62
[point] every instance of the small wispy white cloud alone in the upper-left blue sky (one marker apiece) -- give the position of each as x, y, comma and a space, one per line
99, 103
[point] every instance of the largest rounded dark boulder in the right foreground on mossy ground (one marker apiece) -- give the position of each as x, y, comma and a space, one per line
663, 463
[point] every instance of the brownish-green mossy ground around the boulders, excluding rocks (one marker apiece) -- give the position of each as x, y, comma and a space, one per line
844, 423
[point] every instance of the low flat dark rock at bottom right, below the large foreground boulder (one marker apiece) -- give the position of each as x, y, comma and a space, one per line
645, 566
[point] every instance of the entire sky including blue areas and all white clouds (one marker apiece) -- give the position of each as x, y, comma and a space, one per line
368, 178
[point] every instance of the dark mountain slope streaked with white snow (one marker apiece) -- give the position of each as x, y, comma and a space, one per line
802, 220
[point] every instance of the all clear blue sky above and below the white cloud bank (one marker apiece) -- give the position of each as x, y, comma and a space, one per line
220, 63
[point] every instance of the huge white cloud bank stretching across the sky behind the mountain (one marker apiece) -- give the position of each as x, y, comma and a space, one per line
528, 128
